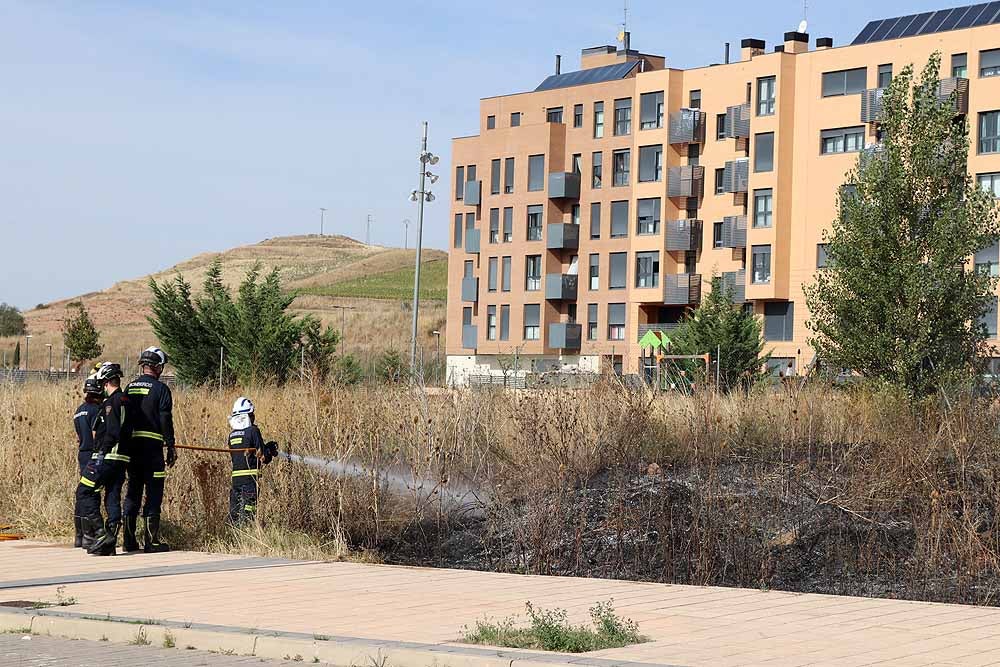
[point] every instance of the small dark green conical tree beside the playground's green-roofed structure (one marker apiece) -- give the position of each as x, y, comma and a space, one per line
731, 336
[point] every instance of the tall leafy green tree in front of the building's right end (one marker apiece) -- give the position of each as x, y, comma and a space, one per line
896, 303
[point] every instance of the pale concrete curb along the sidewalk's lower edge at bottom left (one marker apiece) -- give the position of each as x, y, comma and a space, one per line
340, 651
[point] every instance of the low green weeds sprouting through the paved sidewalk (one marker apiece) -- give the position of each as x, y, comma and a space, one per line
550, 630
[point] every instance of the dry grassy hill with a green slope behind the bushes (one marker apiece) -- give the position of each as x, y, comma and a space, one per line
338, 279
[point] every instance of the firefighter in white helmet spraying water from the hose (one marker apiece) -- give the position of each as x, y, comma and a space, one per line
246, 464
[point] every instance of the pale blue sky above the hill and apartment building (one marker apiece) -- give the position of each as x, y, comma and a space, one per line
136, 134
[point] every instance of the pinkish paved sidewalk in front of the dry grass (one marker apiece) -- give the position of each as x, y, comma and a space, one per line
415, 607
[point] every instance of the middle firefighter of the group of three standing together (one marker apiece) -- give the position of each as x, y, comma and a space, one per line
112, 439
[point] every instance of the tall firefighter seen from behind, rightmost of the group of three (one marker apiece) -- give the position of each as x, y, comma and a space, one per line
153, 431
